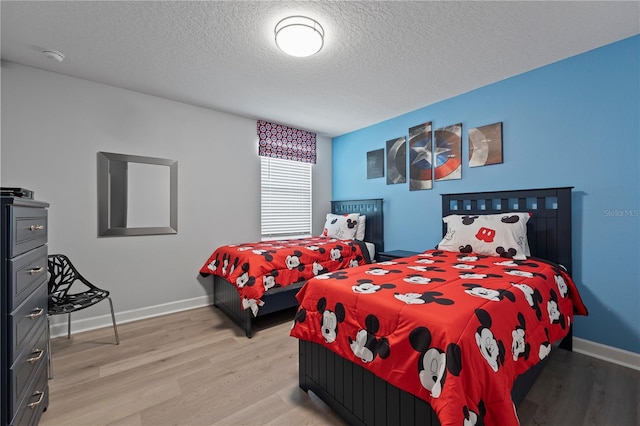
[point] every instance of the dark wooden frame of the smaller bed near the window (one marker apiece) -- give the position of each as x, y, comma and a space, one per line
225, 294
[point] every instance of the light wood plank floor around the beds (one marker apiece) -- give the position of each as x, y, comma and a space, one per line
197, 368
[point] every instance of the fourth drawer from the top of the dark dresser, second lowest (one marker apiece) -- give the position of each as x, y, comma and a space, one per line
24, 368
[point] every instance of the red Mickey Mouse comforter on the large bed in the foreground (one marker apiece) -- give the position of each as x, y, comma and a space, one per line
453, 329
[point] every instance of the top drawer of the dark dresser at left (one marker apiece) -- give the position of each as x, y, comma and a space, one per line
29, 229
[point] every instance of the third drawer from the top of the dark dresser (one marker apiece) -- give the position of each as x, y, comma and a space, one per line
30, 314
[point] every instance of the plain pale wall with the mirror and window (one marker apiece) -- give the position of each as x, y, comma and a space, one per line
52, 128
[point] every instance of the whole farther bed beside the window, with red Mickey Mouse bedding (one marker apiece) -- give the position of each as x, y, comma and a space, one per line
230, 290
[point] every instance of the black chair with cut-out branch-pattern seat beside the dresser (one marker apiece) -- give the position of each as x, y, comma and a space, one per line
63, 300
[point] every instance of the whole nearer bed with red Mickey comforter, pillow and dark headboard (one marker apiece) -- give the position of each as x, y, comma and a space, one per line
374, 366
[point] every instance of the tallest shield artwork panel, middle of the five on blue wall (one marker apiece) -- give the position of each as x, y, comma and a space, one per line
420, 157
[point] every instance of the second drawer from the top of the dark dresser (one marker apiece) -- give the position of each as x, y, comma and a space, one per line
26, 272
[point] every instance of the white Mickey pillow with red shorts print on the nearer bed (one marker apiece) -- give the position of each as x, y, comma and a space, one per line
503, 235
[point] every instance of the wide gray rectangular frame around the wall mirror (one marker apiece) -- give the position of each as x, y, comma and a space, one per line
105, 160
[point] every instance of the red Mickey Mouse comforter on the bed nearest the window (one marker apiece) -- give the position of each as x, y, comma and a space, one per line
257, 267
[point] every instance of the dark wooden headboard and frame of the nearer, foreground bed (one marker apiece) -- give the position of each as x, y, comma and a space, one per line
360, 397
